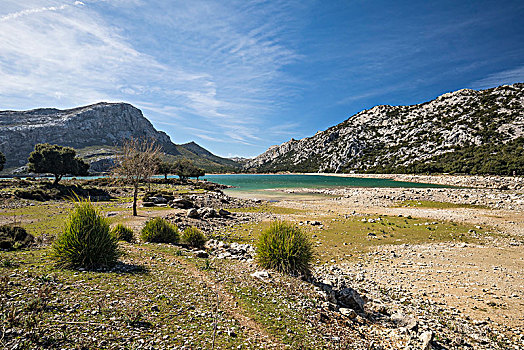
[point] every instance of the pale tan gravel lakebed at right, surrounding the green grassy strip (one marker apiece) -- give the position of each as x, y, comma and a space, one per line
474, 291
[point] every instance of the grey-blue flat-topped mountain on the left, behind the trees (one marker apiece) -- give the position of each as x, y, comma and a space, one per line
95, 132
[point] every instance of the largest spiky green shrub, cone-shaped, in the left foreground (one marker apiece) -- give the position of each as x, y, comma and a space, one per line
86, 241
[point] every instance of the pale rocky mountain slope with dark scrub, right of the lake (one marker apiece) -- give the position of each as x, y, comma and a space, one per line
458, 131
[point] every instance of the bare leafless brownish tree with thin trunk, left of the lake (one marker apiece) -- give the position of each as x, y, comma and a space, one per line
136, 162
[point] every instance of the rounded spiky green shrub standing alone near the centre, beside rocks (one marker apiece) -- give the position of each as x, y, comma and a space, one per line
285, 248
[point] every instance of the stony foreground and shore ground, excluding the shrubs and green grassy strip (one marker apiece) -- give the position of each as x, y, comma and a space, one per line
442, 295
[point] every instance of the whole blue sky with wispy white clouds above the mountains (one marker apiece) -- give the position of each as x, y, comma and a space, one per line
239, 76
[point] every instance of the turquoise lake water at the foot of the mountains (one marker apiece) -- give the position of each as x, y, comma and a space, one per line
262, 182
